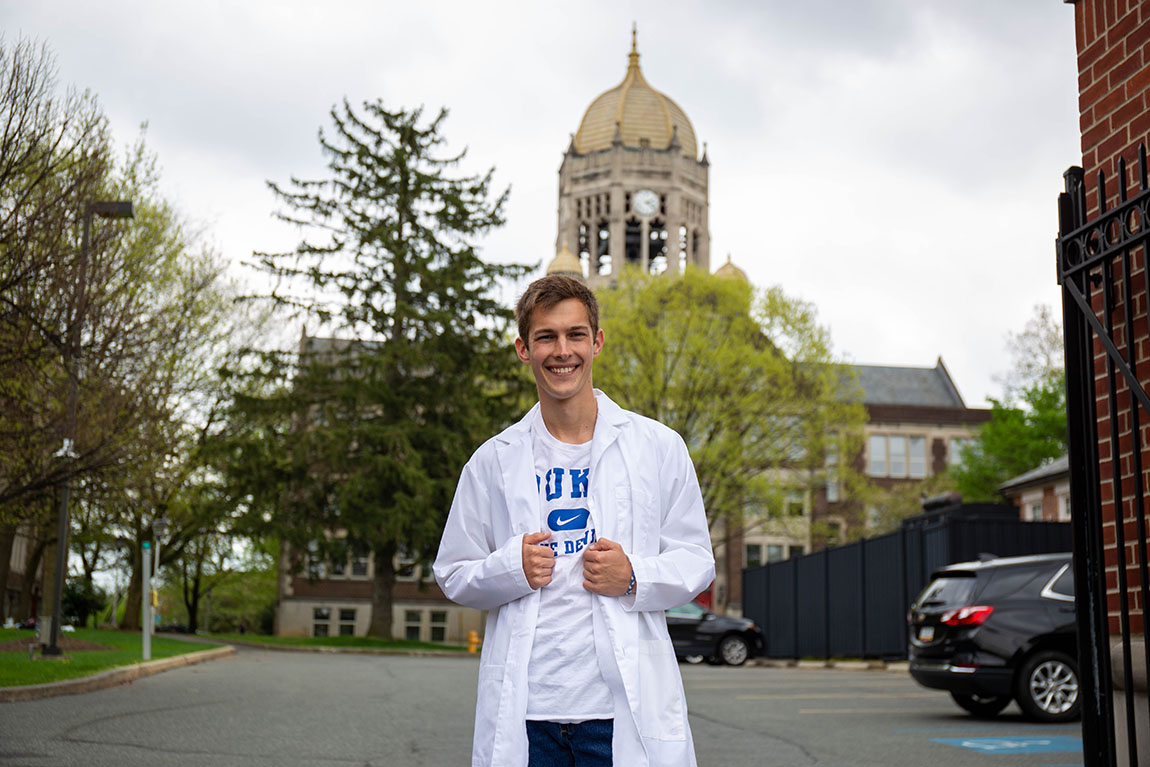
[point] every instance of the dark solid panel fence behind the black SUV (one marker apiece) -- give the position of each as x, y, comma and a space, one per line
852, 601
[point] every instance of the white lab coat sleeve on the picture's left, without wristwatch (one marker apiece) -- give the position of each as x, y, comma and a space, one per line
471, 569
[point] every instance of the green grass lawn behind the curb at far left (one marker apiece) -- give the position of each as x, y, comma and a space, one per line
125, 650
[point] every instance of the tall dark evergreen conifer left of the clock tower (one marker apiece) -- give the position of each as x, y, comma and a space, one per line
361, 440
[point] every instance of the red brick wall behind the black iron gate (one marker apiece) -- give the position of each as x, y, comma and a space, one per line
1114, 63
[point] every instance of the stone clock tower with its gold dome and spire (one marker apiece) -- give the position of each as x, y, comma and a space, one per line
632, 187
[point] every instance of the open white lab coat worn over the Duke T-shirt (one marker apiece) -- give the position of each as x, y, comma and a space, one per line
643, 495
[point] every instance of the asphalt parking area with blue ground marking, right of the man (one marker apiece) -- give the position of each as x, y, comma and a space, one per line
814, 716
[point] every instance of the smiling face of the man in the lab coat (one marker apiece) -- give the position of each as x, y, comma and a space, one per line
561, 349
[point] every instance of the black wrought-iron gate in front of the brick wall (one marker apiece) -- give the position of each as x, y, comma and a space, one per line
1102, 270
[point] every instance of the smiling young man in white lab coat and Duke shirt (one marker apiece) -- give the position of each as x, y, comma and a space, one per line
577, 528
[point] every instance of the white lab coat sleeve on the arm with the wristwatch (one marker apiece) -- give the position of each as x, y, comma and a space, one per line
685, 565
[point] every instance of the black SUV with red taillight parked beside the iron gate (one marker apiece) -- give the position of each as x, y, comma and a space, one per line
996, 631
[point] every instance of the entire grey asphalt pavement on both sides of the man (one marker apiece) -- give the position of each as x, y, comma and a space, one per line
298, 710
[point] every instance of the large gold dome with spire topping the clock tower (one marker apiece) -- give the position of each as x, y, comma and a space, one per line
635, 111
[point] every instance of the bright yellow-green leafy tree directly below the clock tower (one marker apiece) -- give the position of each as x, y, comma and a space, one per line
747, 378
